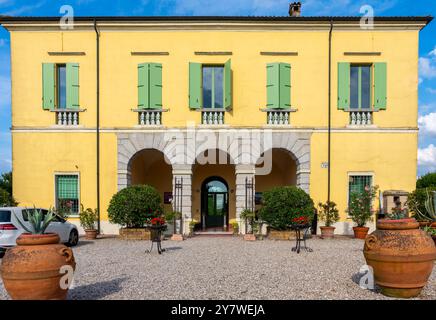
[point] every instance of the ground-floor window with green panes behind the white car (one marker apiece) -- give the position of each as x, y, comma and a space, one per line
67, 194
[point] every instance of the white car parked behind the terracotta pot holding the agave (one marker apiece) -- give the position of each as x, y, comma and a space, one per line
10, 228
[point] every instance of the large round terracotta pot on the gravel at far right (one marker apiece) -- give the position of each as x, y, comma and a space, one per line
401, 256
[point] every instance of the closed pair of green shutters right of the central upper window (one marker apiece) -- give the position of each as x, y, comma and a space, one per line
278, 86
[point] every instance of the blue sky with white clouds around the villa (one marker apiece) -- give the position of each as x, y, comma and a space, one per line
427, 50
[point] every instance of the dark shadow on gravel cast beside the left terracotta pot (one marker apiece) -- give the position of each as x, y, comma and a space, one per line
96, 290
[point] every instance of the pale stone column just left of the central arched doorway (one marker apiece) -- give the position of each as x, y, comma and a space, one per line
183, 173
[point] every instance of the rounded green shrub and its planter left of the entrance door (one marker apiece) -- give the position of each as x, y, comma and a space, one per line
132, 207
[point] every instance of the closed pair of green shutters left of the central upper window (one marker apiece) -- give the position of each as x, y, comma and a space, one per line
150, 86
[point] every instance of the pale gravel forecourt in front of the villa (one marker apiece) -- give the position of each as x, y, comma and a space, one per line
222, 268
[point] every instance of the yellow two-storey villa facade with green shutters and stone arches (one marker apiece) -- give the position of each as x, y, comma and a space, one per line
115, 101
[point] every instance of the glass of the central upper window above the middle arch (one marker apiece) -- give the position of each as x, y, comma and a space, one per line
213, 87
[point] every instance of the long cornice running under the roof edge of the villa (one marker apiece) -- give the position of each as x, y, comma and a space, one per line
212, 23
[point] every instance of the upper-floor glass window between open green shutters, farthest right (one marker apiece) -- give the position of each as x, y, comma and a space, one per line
360, 87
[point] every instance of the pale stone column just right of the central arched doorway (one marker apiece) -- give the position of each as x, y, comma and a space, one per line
243, 171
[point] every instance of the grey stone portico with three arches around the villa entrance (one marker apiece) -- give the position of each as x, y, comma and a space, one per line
181, 151
